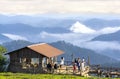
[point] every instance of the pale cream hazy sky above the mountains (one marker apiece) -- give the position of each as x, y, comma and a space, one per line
59, 6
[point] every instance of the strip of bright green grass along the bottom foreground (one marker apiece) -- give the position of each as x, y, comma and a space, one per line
44, 76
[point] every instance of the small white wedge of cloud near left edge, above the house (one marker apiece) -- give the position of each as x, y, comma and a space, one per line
14, 37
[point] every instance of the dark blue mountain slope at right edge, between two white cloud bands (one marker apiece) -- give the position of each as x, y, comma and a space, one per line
108, 37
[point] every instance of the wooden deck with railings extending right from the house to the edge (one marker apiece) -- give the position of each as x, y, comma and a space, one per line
108, 72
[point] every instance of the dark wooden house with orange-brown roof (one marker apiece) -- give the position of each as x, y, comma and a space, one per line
32, 58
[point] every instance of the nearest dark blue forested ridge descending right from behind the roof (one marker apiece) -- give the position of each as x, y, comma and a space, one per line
70, 49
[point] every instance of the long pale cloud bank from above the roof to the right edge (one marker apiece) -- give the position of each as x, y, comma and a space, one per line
79, 39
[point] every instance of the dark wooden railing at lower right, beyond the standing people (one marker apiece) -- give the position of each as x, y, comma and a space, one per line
104, 71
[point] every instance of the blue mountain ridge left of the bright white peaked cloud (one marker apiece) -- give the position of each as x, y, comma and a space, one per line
20, 28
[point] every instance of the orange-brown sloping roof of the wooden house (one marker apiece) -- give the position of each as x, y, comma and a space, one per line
46, 49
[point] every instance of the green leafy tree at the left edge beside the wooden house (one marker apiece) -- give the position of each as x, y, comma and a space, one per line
2, 58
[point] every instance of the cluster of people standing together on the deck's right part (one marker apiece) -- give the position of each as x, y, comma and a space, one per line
78, 64
